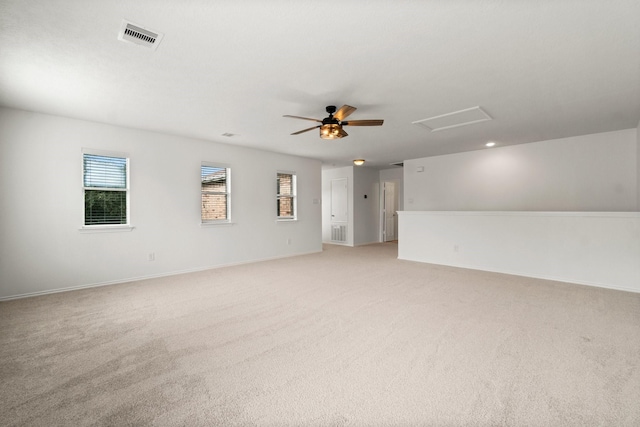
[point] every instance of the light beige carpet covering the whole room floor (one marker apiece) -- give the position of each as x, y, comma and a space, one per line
349, 336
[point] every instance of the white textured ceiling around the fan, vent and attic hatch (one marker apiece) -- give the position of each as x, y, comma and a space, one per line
543, 69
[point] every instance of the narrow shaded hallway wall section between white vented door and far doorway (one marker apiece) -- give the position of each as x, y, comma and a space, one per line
366, 210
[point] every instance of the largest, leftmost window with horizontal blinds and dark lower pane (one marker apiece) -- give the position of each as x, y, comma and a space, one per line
106, 190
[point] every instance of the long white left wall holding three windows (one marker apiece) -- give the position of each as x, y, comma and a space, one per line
42, 249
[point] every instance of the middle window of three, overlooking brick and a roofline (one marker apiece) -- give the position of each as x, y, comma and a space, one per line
216, 193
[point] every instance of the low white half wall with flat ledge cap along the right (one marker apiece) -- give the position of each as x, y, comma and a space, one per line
599, 249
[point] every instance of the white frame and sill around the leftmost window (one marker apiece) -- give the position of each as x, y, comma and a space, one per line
127, 190
